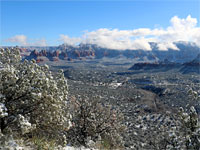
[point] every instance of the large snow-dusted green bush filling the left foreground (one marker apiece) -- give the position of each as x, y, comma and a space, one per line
31, 97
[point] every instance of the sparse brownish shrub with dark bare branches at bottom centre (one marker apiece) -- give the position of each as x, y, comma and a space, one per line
94, 122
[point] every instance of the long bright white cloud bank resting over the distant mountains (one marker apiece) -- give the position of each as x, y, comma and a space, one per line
179, 30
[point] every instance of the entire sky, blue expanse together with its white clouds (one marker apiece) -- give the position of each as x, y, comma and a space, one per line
114, 24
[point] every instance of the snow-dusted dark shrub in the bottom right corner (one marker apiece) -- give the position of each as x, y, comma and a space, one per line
184, 135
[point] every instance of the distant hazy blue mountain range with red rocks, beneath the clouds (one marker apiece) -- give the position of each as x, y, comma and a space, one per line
187, 52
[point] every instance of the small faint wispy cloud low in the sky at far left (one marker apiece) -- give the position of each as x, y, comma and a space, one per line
23, 40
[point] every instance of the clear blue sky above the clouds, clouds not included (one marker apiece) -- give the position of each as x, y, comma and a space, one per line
48, 20
